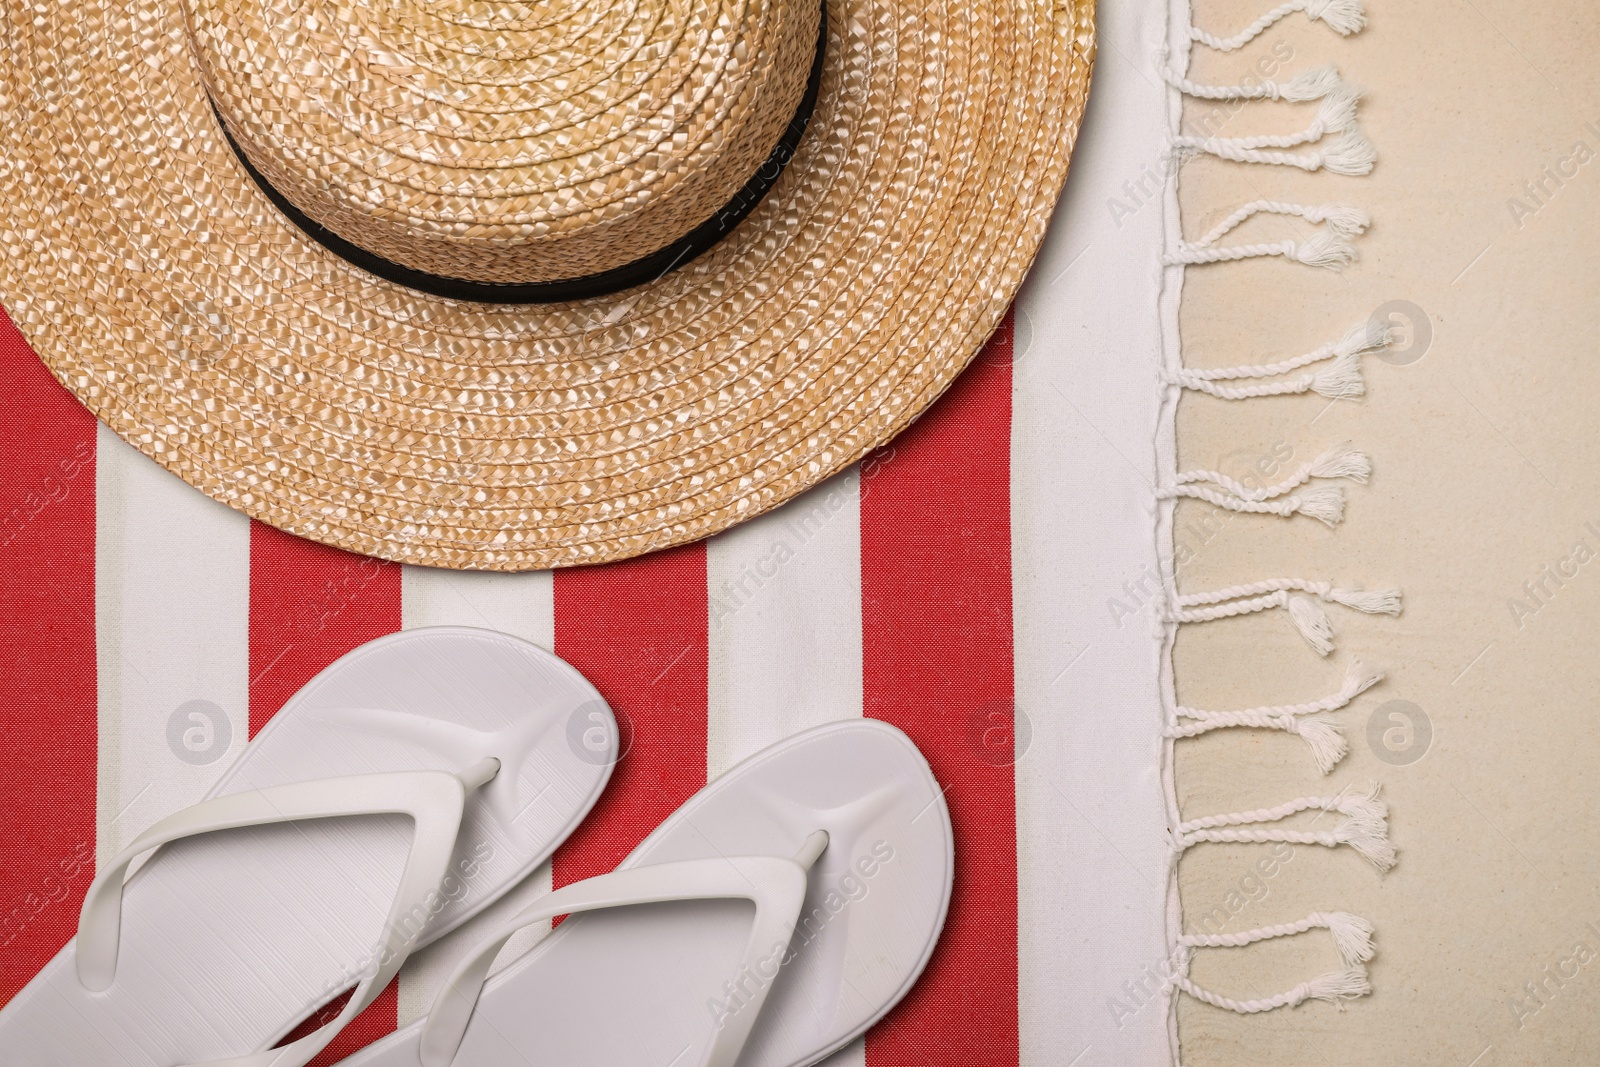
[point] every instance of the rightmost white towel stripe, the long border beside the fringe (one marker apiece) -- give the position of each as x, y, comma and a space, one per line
1087, 391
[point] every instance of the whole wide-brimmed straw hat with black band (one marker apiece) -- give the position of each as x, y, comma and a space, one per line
521, 284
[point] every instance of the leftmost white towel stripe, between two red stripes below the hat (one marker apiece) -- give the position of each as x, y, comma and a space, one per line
172, 593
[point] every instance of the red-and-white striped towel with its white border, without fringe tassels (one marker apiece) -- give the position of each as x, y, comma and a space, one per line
953, 585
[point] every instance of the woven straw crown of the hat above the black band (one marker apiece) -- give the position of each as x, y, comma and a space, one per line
514, 142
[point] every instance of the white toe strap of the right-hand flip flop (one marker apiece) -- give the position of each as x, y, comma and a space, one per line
775, 885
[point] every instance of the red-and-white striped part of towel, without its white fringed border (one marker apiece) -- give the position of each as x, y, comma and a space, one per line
132, 602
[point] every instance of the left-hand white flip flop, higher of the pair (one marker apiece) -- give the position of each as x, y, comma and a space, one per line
401, 793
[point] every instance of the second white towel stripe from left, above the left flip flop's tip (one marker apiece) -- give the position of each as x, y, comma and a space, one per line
522, 605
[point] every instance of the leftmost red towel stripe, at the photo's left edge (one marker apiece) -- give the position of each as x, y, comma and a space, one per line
49, 703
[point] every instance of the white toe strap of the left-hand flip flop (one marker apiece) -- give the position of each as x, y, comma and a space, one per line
433, 799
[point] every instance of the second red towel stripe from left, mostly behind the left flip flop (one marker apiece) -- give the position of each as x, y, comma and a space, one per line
308, 607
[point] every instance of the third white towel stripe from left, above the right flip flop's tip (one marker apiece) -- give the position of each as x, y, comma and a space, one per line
785, 609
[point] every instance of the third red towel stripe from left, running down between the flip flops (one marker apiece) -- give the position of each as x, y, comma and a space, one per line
639, 633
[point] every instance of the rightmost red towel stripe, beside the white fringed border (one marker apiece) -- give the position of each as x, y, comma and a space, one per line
937, 663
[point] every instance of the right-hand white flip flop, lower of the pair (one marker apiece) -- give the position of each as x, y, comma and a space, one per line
774, 919
